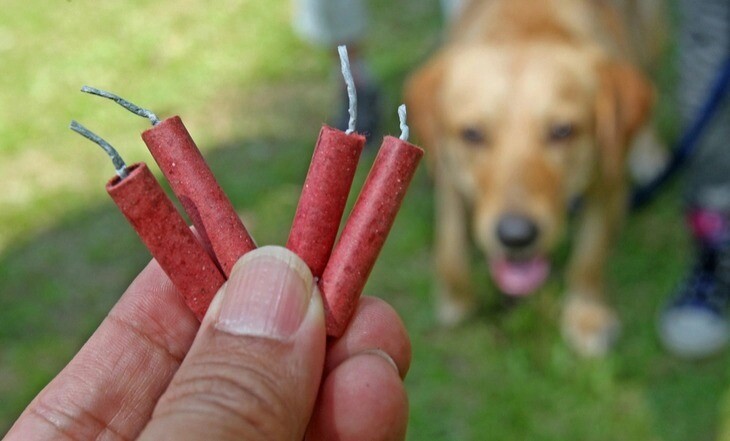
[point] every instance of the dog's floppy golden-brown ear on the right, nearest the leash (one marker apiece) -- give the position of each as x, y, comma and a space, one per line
623, 105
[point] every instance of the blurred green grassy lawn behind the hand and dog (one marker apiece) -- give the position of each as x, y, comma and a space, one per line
253, 96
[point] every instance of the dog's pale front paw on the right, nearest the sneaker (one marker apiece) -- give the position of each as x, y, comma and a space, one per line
590, 327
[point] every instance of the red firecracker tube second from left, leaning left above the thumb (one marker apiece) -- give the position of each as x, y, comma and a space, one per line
210, 210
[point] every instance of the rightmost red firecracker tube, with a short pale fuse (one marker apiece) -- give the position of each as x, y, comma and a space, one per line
366, 230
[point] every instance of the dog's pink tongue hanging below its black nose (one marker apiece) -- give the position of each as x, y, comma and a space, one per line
520, 278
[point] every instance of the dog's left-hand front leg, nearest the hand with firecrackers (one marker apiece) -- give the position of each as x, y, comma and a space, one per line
454, 293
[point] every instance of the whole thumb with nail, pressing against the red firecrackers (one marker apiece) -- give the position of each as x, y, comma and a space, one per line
255, 366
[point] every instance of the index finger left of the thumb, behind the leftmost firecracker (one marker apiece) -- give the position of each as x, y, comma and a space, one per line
111, 386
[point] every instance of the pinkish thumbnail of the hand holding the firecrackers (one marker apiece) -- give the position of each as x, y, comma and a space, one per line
267, 294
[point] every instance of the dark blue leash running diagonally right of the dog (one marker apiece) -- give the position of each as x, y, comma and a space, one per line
688, 142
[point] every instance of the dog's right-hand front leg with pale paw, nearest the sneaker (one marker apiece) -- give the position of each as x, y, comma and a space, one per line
589, 324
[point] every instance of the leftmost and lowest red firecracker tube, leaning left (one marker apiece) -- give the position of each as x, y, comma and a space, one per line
169, 239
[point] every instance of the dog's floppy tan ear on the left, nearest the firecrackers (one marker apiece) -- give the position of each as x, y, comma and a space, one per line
422, 99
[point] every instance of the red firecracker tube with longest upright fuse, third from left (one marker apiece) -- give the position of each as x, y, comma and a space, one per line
324, 196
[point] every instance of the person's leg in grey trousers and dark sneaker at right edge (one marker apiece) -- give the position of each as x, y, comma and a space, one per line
695, 323
